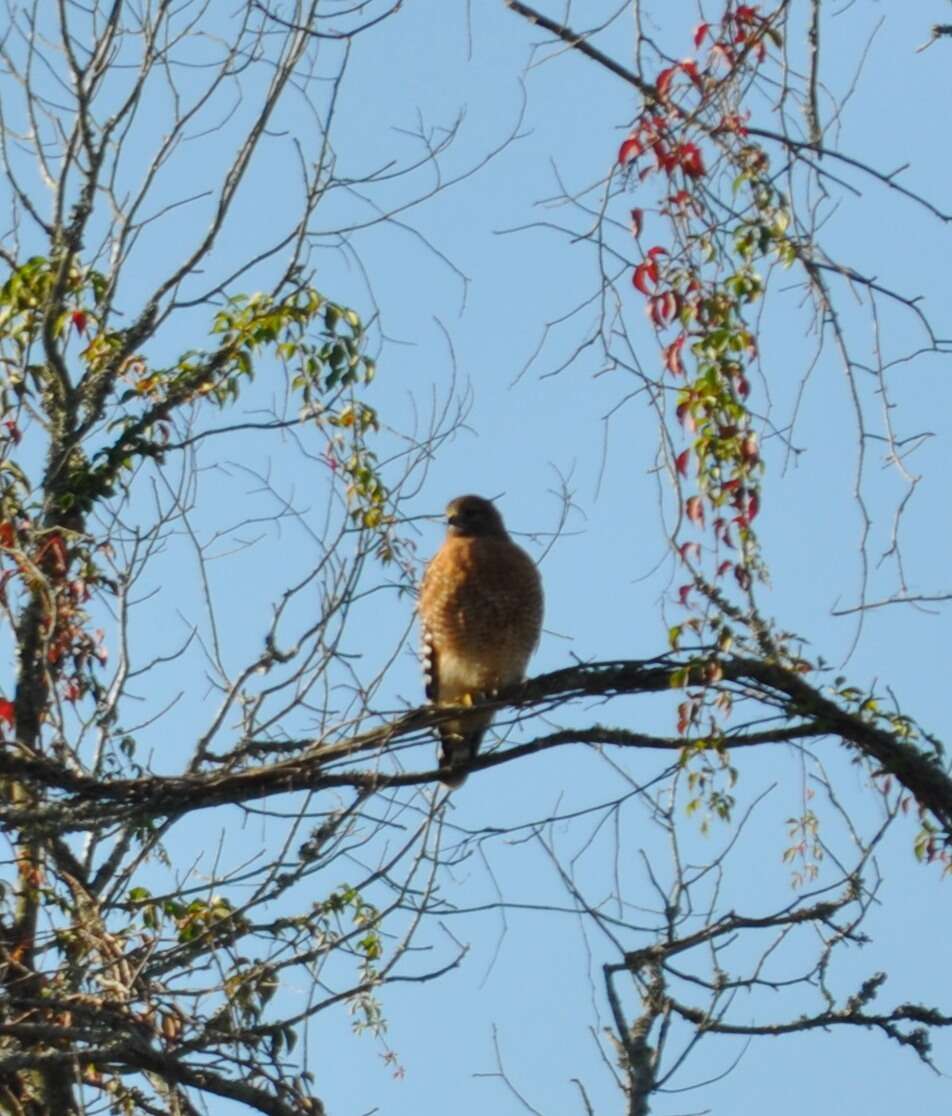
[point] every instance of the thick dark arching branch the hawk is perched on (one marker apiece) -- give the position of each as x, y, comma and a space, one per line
315, 767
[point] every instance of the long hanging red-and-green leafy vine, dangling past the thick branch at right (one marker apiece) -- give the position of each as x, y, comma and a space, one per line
691, 137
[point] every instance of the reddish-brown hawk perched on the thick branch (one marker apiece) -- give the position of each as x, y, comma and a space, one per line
482, 611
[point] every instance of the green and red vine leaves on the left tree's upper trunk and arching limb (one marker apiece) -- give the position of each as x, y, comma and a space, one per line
51, 386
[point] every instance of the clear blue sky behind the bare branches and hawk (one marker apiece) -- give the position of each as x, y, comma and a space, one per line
532, 980
